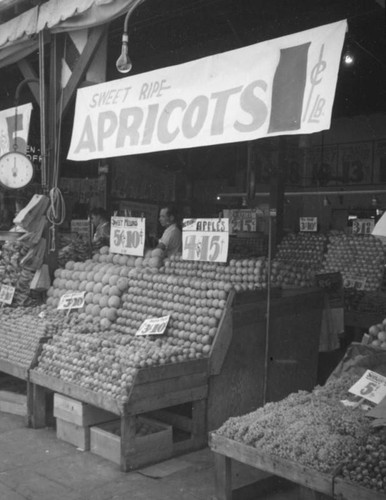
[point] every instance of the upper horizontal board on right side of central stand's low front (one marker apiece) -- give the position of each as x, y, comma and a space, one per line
153, 389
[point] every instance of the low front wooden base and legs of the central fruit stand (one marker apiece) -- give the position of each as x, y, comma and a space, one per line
154, 388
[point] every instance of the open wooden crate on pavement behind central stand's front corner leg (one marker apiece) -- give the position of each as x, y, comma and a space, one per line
105, 440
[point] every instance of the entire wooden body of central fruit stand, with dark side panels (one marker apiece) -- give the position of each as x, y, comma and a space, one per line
189, 395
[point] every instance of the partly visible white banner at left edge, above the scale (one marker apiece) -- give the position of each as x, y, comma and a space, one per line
14, 125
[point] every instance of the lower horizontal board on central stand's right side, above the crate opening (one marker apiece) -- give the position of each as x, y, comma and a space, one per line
166, 400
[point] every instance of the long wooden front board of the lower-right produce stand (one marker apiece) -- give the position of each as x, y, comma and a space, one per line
317, 481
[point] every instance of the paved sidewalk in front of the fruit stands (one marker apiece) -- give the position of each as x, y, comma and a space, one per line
35, 465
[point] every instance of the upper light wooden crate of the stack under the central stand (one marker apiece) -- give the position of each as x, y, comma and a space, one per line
78, 412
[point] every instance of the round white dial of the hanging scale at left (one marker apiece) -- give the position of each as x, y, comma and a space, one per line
16, 170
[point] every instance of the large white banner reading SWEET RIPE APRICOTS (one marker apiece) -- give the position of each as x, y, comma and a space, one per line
281, 86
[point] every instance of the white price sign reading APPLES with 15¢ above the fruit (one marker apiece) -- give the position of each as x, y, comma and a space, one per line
205, 239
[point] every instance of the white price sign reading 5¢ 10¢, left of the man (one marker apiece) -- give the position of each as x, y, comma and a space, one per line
127, 235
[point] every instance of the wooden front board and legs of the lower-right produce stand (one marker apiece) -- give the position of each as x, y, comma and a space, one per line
225, 450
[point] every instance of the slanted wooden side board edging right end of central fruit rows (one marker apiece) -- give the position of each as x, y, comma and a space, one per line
222, 340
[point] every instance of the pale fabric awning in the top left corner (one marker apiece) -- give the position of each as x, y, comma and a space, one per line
18, 36
